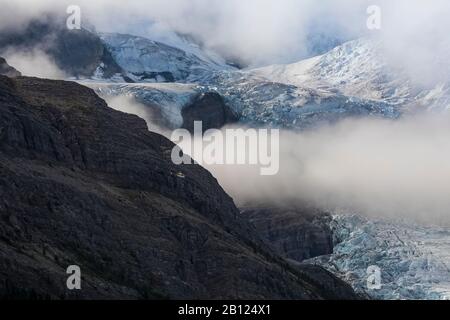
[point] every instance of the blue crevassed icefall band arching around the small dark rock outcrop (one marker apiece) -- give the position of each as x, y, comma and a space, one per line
257, 102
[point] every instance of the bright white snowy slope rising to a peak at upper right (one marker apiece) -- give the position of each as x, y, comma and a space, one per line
360, 68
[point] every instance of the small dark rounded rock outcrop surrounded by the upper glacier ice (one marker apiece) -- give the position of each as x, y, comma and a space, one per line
210, 109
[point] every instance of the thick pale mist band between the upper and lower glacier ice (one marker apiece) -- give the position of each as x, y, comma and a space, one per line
383, 168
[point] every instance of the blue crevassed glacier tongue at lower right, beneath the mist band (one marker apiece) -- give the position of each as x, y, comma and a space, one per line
414, 260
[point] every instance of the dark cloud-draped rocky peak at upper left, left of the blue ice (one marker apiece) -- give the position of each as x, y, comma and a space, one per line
79, 53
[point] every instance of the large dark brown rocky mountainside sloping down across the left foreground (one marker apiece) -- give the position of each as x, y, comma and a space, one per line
82, 184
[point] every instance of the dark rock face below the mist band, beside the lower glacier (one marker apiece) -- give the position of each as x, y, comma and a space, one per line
295, 233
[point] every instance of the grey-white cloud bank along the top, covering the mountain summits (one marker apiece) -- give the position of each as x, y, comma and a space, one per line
262, 32
